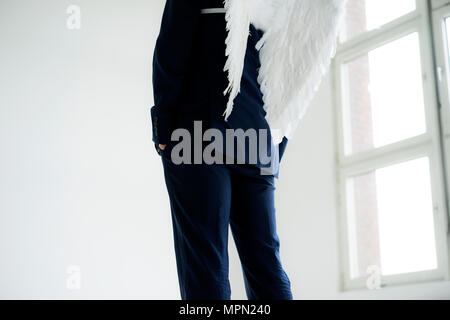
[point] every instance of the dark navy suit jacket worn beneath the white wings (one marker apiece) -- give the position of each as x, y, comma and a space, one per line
189, 78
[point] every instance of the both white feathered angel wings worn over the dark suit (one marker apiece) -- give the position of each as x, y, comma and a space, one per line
298, 44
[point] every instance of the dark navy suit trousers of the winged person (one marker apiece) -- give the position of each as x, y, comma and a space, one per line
205, 200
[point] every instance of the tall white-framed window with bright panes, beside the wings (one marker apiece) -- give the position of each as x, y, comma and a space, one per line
392, 187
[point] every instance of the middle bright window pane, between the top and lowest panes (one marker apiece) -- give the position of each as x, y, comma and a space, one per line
384, 100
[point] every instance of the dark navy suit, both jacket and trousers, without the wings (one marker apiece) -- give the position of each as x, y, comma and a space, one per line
188, 82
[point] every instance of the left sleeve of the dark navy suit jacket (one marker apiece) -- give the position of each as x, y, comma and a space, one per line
171, 62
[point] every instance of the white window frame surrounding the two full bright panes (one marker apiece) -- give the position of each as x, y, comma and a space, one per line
427, 144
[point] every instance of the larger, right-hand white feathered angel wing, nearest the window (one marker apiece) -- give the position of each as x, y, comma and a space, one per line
295, 53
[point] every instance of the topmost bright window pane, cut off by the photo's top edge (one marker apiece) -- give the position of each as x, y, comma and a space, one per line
366, 15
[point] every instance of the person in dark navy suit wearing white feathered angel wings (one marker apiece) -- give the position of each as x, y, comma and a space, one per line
228, 67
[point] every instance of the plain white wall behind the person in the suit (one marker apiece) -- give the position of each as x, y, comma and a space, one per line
82, 185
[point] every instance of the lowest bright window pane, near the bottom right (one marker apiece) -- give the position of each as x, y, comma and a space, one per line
390, 220
